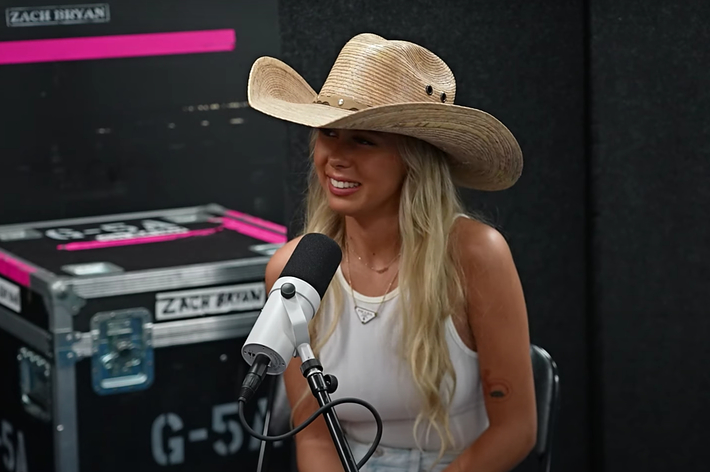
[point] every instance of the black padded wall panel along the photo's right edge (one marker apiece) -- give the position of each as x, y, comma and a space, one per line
651, 169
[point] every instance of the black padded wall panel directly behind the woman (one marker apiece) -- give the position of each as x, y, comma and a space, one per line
523, 62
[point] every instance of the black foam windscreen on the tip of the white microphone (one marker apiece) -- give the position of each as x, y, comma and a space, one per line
315, 260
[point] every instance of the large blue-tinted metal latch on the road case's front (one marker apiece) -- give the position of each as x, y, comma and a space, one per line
122, 351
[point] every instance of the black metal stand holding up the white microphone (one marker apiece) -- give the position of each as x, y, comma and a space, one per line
321, 387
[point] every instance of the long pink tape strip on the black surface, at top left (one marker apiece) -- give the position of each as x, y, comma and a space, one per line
105, 47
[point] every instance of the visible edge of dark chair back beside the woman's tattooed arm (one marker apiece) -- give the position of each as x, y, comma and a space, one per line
547, 396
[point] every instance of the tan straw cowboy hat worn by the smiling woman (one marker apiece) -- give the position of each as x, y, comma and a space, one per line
394, 87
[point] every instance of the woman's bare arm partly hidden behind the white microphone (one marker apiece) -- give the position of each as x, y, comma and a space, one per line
315, 451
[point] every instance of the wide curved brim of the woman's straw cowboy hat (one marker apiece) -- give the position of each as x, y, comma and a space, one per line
483, 153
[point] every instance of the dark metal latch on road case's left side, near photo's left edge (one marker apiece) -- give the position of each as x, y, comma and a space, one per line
35, 383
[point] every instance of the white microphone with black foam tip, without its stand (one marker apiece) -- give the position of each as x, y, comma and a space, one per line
282, 325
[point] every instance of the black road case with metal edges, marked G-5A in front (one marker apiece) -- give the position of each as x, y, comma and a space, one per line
120, 341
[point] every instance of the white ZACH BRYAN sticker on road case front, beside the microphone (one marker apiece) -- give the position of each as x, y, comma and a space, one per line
210, 301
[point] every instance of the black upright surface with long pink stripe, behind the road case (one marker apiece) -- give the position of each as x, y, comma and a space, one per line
110, 135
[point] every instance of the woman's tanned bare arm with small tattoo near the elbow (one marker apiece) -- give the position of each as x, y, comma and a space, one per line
498, 319
